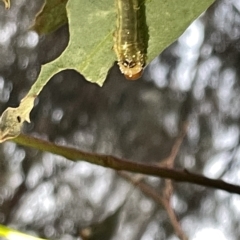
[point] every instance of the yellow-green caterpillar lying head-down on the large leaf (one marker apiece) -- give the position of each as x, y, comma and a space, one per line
129, 42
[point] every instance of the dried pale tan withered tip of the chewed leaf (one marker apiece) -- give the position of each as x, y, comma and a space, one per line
12, 119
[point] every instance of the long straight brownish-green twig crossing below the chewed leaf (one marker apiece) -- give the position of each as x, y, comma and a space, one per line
122, 164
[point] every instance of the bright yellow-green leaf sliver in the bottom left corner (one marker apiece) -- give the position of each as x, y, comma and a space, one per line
11, 234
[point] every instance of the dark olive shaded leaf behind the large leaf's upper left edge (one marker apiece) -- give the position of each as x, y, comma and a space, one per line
52, 16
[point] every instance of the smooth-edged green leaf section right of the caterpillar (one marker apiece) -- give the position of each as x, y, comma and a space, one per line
167, 20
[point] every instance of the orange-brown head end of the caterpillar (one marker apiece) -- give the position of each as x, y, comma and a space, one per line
132, 70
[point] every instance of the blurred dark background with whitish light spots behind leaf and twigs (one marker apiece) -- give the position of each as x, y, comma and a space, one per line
196, 80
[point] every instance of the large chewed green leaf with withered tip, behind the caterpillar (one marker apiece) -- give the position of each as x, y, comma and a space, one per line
91, 25
